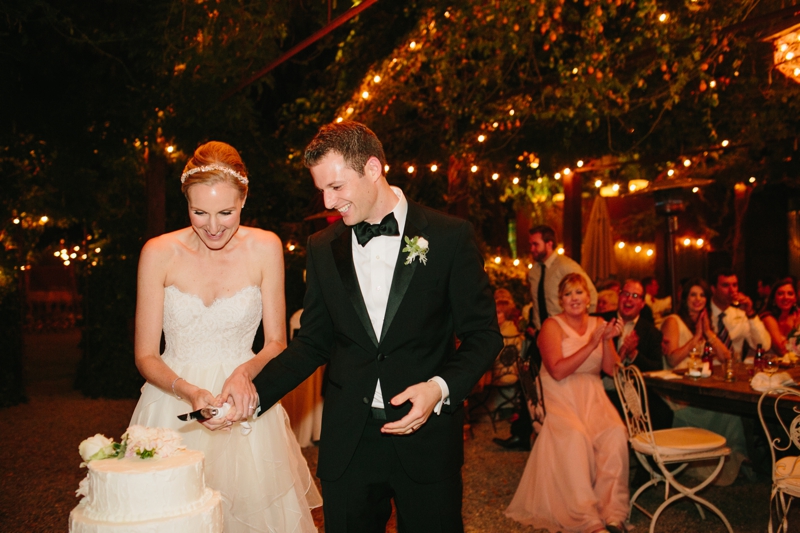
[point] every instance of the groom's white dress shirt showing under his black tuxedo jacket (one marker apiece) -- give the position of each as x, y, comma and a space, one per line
374, 264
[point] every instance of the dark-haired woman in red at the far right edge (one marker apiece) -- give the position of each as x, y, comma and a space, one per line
781, 317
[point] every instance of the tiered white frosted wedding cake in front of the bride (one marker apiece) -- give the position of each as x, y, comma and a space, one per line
156, 495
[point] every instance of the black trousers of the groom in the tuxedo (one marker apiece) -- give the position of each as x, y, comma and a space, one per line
361, 500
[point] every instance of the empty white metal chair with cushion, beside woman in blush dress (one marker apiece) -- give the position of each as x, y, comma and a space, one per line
667, 447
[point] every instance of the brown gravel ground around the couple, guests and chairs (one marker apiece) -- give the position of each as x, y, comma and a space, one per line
39, 470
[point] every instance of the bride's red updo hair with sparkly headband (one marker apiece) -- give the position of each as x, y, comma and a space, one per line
215, 162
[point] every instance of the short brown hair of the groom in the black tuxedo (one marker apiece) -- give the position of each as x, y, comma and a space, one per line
353, 140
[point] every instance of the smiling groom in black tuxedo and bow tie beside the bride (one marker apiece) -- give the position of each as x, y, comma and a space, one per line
385, 310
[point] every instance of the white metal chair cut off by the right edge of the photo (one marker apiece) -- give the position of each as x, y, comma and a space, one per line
786, 469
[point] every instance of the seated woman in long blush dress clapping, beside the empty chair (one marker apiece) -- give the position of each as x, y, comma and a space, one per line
576, 478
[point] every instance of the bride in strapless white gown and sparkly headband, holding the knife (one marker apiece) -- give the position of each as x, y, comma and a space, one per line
207, 287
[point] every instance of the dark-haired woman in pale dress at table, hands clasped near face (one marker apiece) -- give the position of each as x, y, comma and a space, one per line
690, 329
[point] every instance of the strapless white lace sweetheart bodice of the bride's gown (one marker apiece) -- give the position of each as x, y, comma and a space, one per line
207, 335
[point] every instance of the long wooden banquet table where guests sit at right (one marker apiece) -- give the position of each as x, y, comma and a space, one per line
714, 393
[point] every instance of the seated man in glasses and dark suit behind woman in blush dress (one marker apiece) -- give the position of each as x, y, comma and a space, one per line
640, 345
